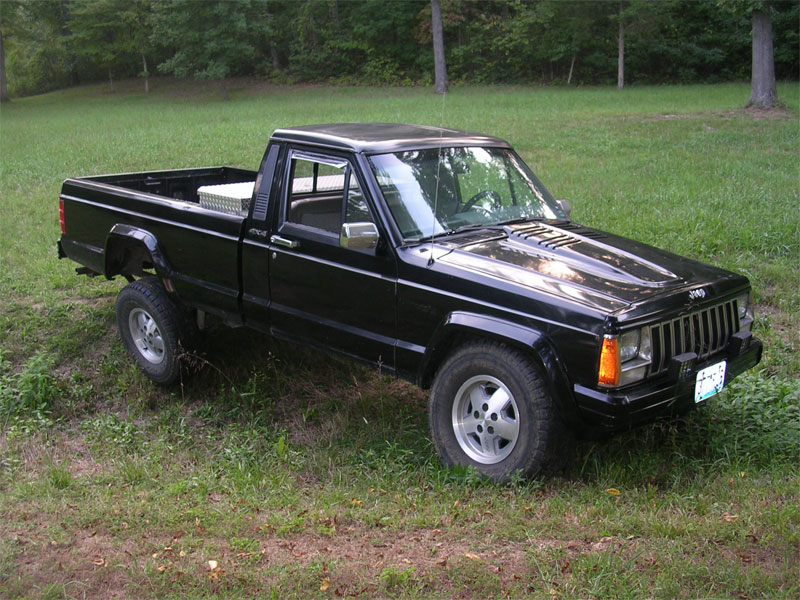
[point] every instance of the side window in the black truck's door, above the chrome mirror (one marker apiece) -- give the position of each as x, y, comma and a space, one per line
323, 195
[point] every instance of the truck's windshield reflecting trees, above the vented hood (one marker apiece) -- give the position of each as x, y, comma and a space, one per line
446, 190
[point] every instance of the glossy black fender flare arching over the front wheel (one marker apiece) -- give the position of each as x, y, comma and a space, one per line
532, 342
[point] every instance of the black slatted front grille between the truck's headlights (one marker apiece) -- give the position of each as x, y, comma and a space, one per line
704, 332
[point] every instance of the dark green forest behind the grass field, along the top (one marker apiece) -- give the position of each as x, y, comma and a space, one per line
52, 44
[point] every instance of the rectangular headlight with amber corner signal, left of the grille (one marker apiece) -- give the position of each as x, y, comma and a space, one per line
625, 358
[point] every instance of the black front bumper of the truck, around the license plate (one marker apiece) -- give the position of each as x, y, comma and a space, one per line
620, 409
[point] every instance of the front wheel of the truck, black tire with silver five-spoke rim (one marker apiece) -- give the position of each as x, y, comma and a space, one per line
490, 407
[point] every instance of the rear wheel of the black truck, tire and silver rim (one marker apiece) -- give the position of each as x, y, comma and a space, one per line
151, 327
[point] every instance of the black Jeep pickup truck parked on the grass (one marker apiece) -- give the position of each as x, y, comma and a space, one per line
435, 253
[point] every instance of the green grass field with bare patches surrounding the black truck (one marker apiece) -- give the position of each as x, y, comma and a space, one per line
276, 472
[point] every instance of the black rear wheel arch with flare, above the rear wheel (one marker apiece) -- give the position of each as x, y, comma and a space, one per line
130, 250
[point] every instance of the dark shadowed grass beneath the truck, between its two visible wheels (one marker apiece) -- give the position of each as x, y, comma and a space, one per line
319, 403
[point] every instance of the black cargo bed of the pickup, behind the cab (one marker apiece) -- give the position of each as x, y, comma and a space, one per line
199, 245
